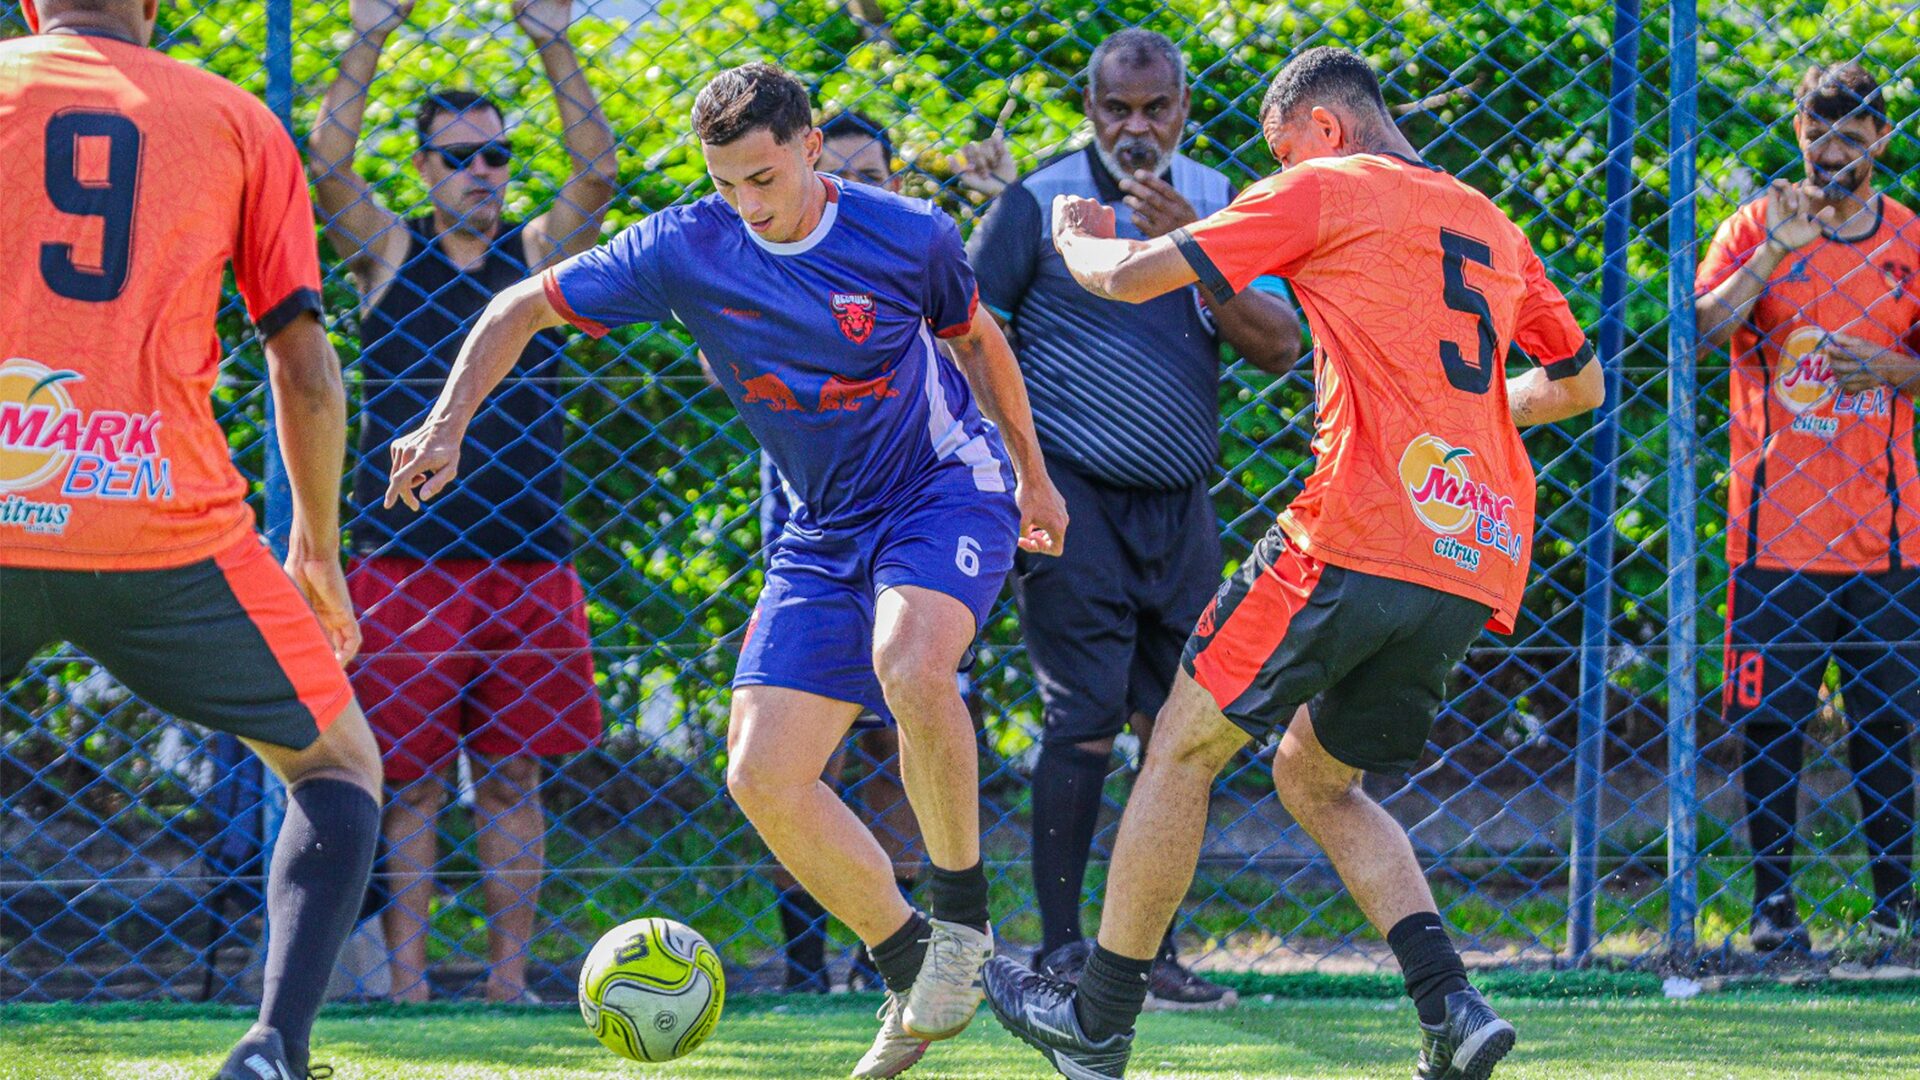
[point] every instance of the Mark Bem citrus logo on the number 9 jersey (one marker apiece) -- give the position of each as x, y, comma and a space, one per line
95, 454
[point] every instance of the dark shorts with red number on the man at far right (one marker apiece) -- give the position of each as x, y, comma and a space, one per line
1785, 627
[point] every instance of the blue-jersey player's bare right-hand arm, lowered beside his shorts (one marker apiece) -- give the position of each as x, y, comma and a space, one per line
994, 374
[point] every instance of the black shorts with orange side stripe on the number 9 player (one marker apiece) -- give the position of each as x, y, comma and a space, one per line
226, 643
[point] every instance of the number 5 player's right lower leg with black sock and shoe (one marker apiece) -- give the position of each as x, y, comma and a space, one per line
1460, 1035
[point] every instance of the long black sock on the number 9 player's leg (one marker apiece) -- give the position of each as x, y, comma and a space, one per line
314, 893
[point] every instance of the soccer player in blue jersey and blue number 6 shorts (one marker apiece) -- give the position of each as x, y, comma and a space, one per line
819, 307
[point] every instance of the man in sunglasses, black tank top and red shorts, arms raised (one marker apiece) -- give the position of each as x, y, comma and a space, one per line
473, 614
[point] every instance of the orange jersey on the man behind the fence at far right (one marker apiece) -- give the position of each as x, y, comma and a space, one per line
1823, 481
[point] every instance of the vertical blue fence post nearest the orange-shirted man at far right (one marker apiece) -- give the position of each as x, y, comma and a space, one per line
1683, 681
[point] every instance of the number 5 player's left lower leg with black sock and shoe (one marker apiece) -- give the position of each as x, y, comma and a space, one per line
1086, 1033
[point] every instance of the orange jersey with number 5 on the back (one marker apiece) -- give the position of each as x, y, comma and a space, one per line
1416, 287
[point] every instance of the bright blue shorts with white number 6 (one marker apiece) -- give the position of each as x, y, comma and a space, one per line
813, 627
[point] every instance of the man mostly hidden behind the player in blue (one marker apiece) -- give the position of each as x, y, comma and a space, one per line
859, 151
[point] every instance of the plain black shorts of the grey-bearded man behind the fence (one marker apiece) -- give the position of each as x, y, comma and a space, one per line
1107, 622
